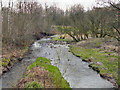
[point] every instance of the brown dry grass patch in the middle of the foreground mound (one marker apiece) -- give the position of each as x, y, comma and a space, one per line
38, 74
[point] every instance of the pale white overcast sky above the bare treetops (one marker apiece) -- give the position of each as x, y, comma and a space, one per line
63, 4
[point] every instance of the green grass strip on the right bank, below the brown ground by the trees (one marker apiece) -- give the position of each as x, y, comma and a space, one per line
107, 66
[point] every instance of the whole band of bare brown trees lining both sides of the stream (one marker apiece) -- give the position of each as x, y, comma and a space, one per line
30, 19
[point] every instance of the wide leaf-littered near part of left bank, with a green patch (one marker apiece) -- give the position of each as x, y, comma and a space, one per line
10, 57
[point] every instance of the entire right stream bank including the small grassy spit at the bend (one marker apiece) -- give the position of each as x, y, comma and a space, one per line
100, 53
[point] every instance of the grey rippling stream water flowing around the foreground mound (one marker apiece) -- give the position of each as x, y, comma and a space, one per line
73, 69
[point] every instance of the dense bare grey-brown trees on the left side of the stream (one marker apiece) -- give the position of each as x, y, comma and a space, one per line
20, 26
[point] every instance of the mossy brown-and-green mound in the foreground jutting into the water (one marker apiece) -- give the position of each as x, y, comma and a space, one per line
42, 74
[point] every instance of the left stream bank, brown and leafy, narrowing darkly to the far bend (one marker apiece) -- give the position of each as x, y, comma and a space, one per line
14, 54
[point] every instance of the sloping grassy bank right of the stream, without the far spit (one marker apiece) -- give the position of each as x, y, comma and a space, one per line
104, 61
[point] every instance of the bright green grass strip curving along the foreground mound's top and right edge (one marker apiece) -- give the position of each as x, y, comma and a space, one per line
59, 81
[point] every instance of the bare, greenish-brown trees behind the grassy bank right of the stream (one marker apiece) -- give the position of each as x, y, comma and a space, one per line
98, 22
